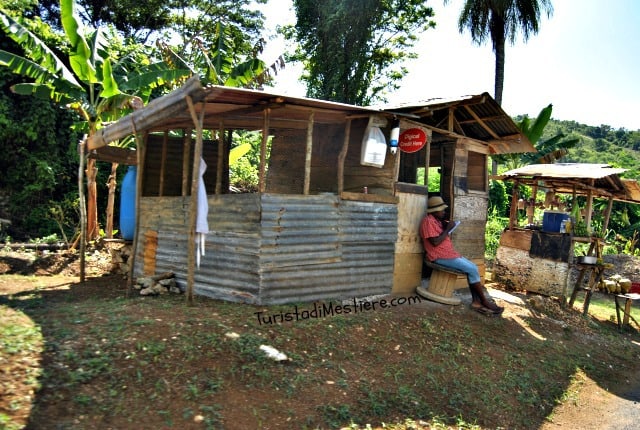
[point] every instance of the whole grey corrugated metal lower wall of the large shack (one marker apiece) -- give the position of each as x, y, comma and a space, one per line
274, 248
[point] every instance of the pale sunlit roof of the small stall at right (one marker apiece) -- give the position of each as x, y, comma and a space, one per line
601, 180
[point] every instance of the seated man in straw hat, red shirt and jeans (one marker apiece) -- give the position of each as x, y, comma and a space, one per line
434, 231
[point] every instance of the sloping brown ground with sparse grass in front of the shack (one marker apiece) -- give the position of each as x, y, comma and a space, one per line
93, 358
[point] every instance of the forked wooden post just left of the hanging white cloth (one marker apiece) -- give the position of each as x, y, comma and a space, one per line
193, 205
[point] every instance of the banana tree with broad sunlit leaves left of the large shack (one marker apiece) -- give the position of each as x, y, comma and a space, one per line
89, 81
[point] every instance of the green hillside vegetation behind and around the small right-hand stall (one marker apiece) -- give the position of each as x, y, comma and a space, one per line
570, 142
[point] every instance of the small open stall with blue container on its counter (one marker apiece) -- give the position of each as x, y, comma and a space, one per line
542, 260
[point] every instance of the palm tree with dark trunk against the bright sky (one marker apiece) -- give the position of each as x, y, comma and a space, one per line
501, 21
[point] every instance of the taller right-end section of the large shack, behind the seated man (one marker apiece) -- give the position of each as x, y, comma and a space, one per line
465, 132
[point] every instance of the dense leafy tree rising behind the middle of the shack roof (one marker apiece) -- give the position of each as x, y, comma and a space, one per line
348, 47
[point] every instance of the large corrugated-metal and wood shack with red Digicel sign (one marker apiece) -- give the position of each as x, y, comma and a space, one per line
322, 225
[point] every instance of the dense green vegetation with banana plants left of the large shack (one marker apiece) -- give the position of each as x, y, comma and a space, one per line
95, 74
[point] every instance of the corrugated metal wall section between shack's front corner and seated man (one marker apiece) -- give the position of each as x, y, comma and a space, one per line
332, 248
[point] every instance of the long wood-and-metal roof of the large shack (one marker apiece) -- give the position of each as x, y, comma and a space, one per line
475, 117
